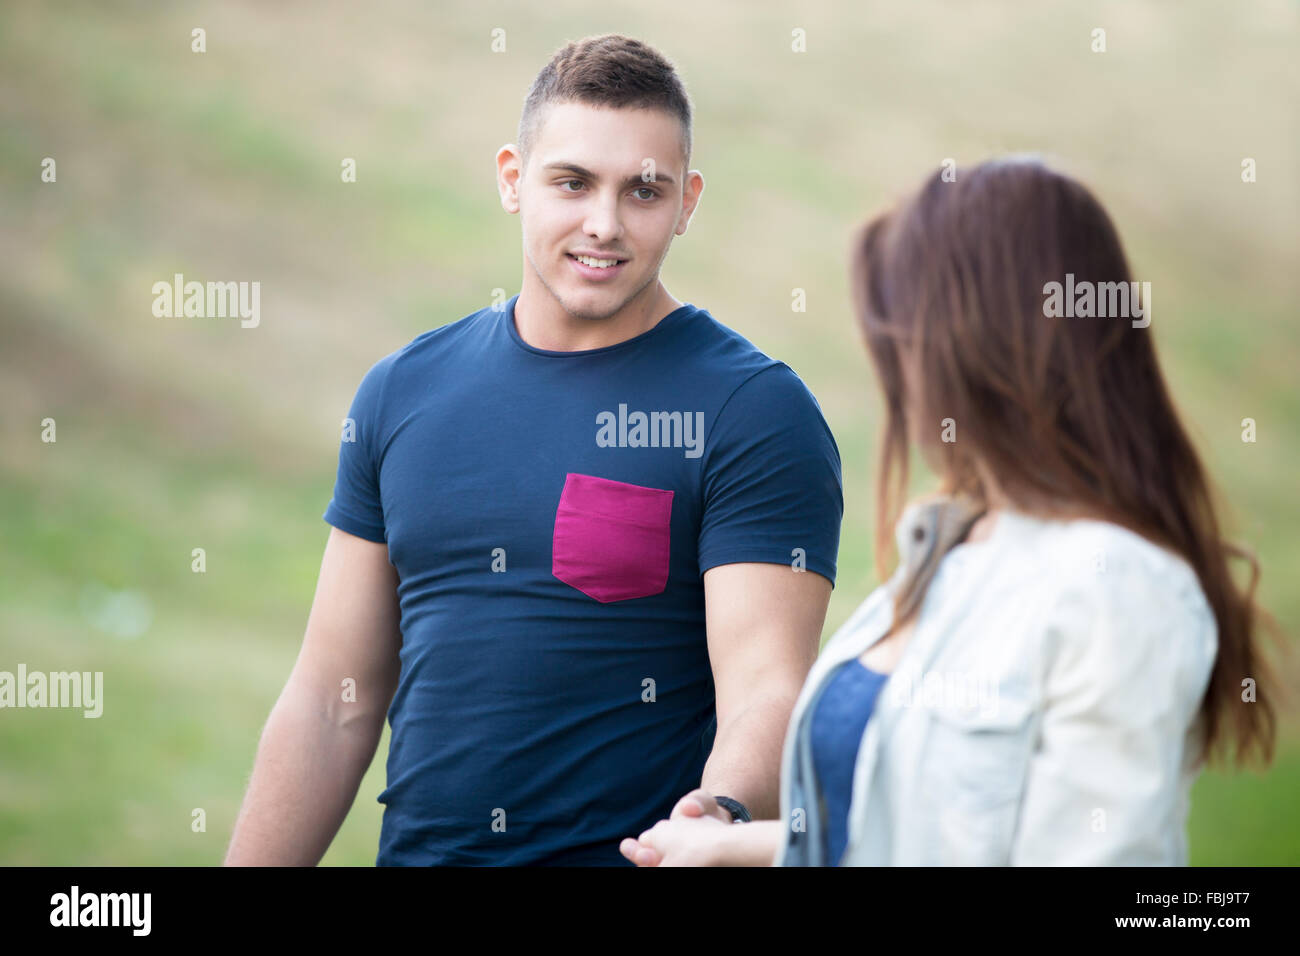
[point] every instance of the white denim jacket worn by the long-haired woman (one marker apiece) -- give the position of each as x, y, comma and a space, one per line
1045, 712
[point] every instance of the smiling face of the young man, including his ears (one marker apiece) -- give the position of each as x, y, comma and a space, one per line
604, 185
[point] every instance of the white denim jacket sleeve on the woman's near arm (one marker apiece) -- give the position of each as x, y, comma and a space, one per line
1129, 661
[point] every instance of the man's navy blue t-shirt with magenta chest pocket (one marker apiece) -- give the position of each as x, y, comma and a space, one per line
551, 516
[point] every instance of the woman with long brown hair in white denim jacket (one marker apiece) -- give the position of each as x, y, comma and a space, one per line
1063, 644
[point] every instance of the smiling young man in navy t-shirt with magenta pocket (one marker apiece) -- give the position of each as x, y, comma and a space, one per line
584, 540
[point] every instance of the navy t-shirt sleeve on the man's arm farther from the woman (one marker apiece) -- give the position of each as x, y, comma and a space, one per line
357, 507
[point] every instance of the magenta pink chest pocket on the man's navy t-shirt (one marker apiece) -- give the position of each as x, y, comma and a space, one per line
612, 539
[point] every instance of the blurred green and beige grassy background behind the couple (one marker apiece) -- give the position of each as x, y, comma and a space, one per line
183, 434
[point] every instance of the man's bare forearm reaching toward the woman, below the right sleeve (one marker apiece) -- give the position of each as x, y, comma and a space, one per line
765, 626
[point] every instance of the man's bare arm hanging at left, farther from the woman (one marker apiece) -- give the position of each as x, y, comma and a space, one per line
317, 746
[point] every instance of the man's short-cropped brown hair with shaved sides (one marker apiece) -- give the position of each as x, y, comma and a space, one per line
610, 71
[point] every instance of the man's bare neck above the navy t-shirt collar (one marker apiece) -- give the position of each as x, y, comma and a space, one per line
544, 323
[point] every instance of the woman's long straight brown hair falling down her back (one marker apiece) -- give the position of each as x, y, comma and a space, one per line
1069, 414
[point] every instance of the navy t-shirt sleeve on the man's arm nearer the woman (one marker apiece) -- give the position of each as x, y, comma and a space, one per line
772, 486
